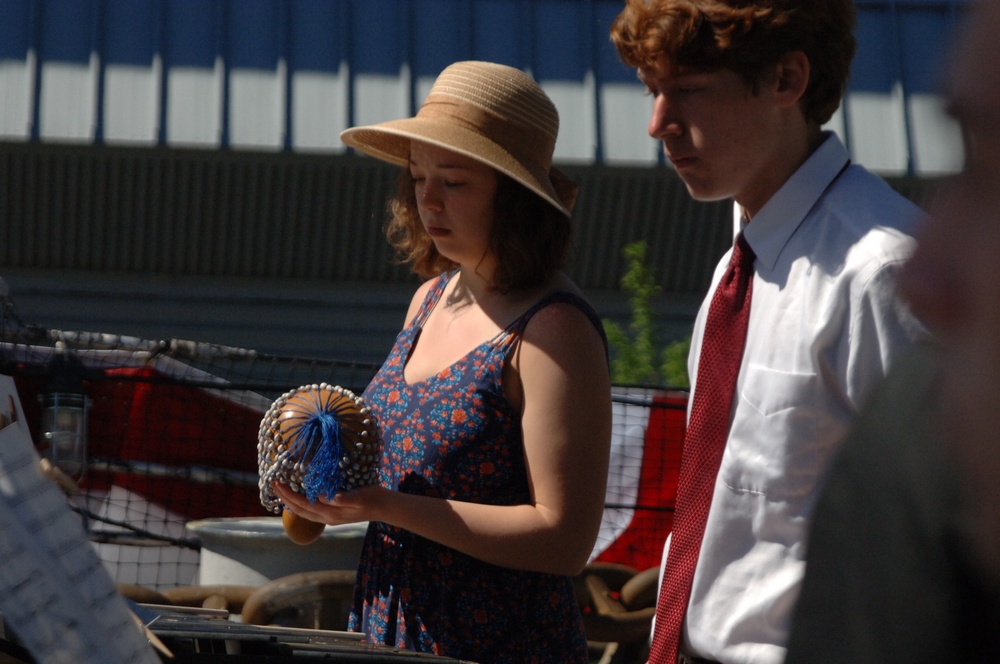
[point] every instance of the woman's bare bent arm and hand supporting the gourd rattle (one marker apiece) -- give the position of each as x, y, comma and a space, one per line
561, 373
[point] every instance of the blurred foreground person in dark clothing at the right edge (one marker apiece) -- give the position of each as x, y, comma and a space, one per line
904, 558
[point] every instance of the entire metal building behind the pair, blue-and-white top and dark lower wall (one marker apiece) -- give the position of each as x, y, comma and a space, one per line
172, 167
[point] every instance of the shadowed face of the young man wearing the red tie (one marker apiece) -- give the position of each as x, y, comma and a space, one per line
717, 134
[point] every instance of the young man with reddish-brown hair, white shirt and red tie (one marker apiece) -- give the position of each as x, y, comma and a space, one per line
740, 93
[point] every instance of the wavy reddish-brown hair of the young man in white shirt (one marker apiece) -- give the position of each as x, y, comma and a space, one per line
747, 37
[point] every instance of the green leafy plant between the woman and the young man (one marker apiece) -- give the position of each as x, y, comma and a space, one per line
636, 355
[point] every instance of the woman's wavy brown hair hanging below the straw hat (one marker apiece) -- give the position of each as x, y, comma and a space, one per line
529, 237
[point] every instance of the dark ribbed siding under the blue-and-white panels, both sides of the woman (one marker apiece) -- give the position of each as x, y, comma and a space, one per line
285, 215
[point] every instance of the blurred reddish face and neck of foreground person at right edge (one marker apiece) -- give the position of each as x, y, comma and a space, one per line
953, 280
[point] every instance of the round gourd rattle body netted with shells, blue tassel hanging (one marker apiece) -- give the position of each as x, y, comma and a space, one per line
318, 439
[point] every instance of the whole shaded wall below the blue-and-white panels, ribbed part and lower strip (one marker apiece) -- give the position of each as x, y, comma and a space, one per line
283, 253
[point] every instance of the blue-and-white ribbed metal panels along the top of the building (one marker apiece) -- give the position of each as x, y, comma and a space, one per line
290, 74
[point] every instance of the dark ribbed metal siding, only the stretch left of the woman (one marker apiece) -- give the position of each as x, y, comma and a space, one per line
193, 212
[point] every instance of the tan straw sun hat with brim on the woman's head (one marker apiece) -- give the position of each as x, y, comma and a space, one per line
490, 112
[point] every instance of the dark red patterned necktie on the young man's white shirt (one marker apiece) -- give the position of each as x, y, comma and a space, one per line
718, 367
